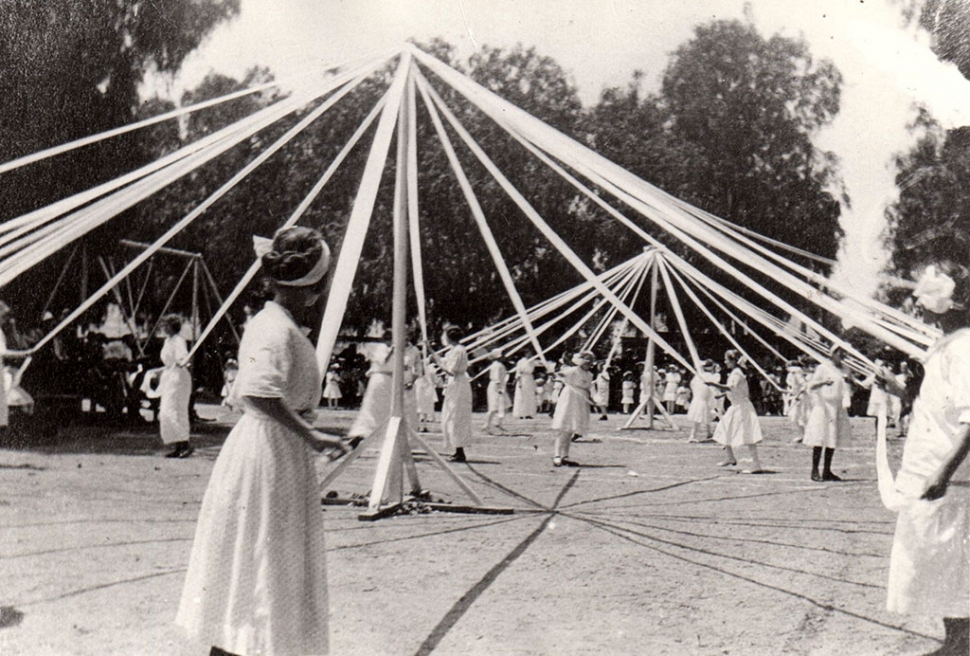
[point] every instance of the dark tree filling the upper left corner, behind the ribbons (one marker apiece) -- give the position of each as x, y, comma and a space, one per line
72, 69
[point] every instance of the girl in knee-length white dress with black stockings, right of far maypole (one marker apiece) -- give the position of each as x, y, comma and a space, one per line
828, 420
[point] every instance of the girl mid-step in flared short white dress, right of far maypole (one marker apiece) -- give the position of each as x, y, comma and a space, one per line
739, 426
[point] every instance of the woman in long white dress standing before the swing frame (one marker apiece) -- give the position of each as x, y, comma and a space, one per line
174, 389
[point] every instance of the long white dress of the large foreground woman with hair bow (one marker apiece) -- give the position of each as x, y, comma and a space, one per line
256, 582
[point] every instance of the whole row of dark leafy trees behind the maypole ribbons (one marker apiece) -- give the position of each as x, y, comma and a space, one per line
730, 130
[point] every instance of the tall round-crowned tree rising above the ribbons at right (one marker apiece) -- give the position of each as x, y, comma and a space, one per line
751, 106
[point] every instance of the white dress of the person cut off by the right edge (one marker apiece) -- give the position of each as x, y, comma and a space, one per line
929, 571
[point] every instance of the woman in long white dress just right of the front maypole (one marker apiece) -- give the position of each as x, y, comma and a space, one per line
456, 409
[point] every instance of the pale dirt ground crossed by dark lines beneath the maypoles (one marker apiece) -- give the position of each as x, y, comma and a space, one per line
648, 548
